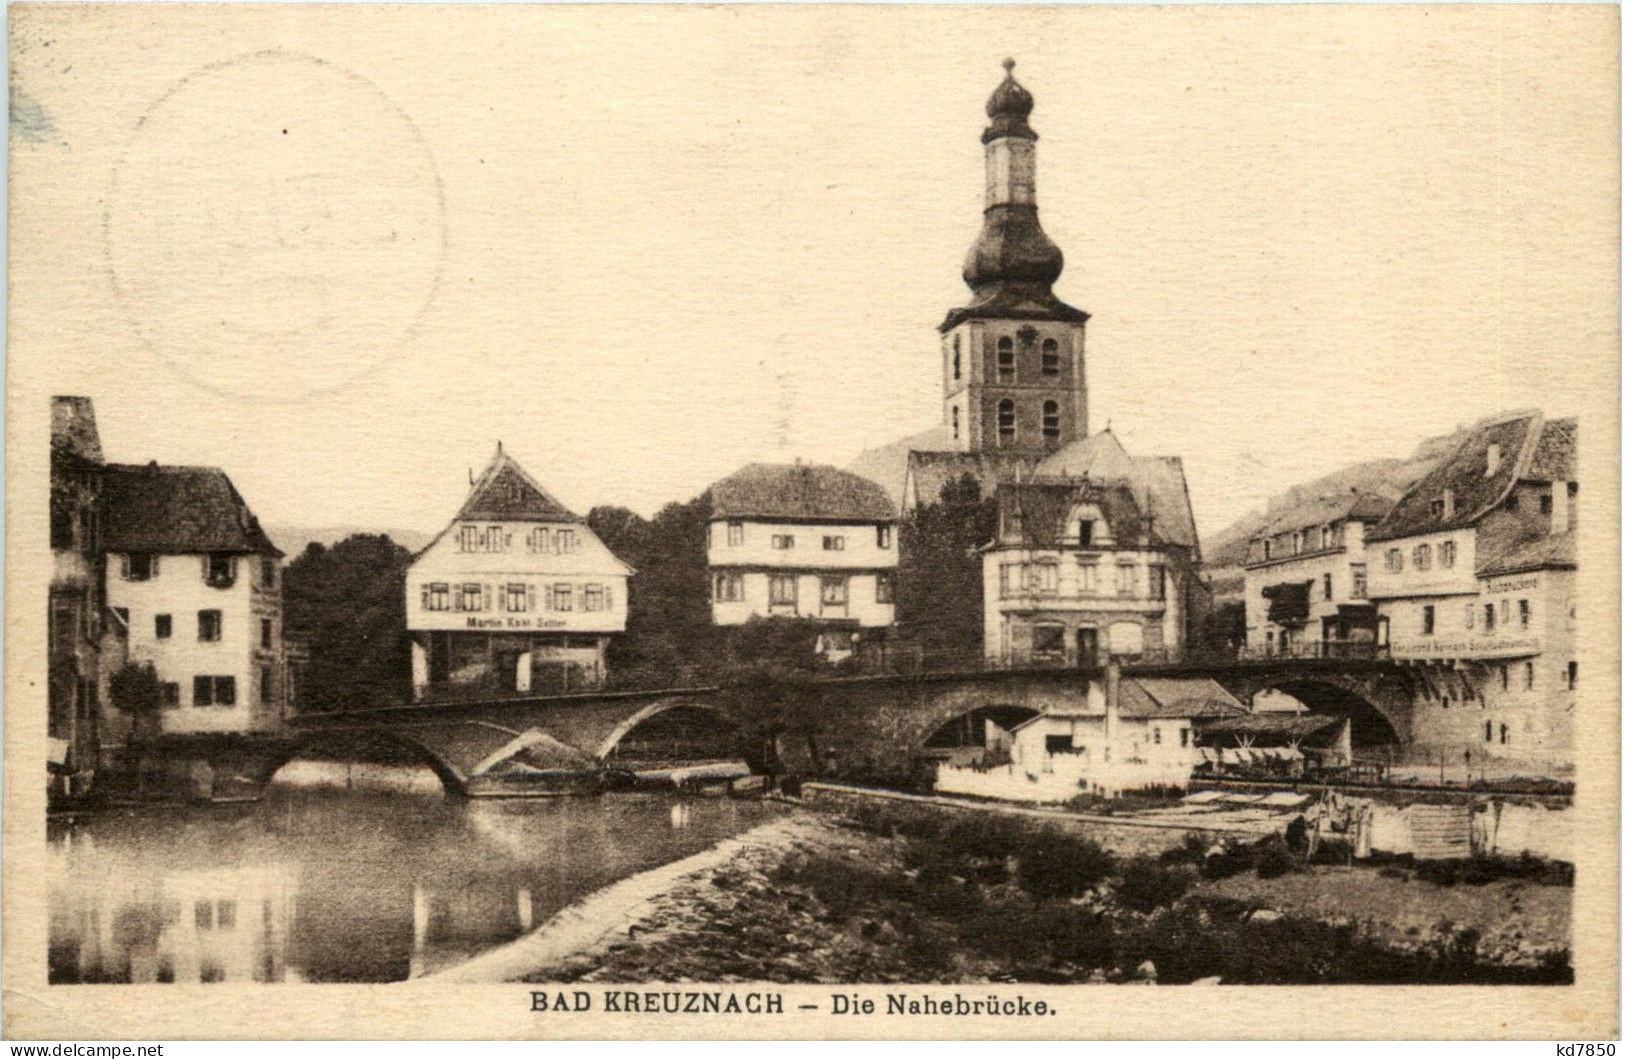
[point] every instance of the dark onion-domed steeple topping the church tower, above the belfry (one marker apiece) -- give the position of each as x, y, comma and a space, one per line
1013, 264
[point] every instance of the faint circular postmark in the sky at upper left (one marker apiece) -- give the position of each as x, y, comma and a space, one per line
275, 227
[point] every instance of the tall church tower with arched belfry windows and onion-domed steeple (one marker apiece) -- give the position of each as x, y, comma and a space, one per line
1013, 360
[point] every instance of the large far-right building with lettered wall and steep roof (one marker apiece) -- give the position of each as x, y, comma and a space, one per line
1475, 573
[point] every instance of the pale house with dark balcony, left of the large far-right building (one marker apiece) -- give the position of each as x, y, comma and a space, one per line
1307, 586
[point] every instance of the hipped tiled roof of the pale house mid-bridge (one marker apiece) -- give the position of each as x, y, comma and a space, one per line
802, 491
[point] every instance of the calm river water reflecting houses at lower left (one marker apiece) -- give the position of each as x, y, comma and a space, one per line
345, 886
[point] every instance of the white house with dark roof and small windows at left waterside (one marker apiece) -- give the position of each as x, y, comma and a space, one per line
194, 587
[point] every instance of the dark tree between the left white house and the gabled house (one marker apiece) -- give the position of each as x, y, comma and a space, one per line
350, 602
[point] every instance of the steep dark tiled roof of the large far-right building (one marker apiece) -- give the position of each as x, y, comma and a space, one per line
1467, 473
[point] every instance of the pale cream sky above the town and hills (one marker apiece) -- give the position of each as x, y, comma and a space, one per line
344, 253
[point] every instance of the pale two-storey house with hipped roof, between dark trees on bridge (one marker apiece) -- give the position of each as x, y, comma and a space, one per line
804, 542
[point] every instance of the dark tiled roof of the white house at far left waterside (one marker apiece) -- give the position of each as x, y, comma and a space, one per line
175, 511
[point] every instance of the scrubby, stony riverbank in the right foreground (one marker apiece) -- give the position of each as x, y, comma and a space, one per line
882, 899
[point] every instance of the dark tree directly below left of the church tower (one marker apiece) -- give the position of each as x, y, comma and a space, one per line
940, 569
